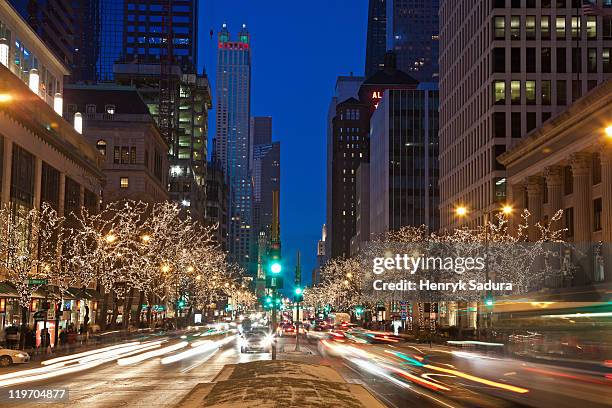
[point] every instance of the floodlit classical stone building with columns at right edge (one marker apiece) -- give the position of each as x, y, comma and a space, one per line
566, 164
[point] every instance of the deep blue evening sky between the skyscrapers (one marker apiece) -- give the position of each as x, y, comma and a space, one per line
299, 48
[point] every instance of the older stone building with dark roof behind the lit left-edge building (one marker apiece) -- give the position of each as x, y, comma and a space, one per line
135, 155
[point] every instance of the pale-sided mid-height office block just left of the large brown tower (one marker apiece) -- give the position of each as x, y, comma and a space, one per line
404, 160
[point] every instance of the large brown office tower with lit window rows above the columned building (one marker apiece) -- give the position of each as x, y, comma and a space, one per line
506, 69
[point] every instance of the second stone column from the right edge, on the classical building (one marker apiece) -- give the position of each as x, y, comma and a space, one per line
582, 216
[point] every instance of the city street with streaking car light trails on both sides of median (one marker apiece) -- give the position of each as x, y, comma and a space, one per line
399, 375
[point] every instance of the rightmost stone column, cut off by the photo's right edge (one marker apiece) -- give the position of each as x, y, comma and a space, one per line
606, 213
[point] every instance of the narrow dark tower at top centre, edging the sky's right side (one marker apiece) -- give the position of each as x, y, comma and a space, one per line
376, 41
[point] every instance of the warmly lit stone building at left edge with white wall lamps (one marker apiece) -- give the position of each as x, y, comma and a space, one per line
44, 158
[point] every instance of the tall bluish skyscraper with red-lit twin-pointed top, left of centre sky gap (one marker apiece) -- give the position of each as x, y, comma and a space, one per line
232, 147
